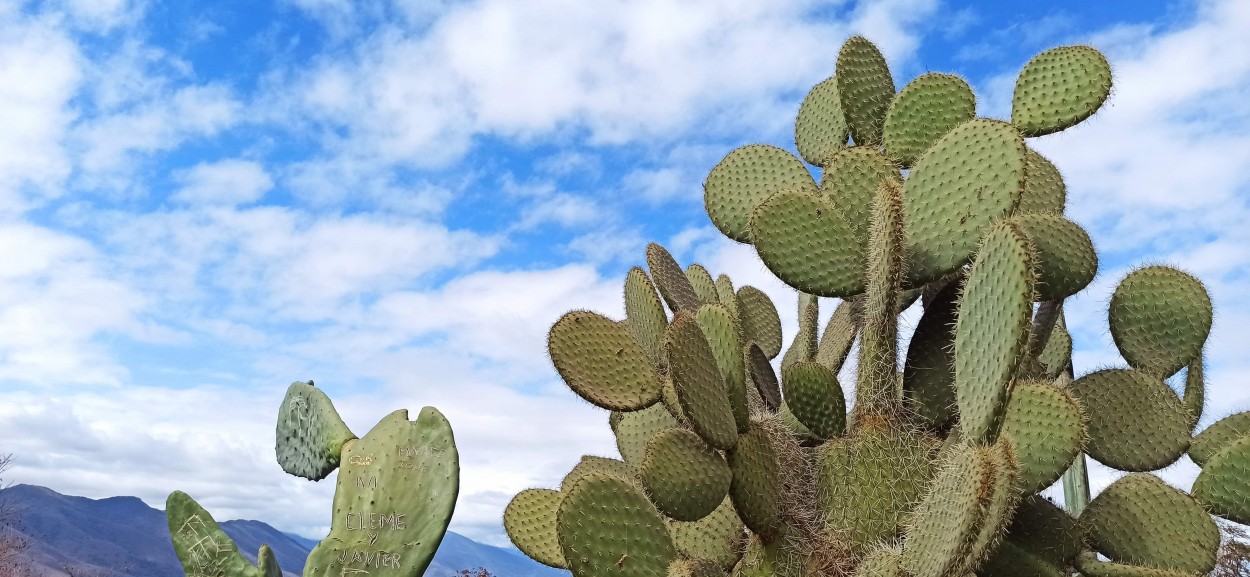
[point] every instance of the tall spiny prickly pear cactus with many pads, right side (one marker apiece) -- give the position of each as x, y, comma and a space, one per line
936, 469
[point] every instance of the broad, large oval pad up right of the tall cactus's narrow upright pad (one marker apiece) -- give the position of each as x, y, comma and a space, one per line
968, 180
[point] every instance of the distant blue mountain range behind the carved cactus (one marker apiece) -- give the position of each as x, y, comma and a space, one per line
124, 538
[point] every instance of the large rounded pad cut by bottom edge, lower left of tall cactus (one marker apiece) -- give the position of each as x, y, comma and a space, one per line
607, 528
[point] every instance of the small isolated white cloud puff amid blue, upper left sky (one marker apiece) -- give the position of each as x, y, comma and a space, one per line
223, 183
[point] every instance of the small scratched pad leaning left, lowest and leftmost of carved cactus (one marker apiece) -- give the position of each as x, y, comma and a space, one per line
201, 544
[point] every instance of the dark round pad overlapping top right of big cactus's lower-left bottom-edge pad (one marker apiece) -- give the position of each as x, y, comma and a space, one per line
686, 478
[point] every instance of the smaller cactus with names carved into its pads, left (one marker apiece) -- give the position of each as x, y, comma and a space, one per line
396, 494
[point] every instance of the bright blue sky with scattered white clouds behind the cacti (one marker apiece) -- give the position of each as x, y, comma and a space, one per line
201, 204
